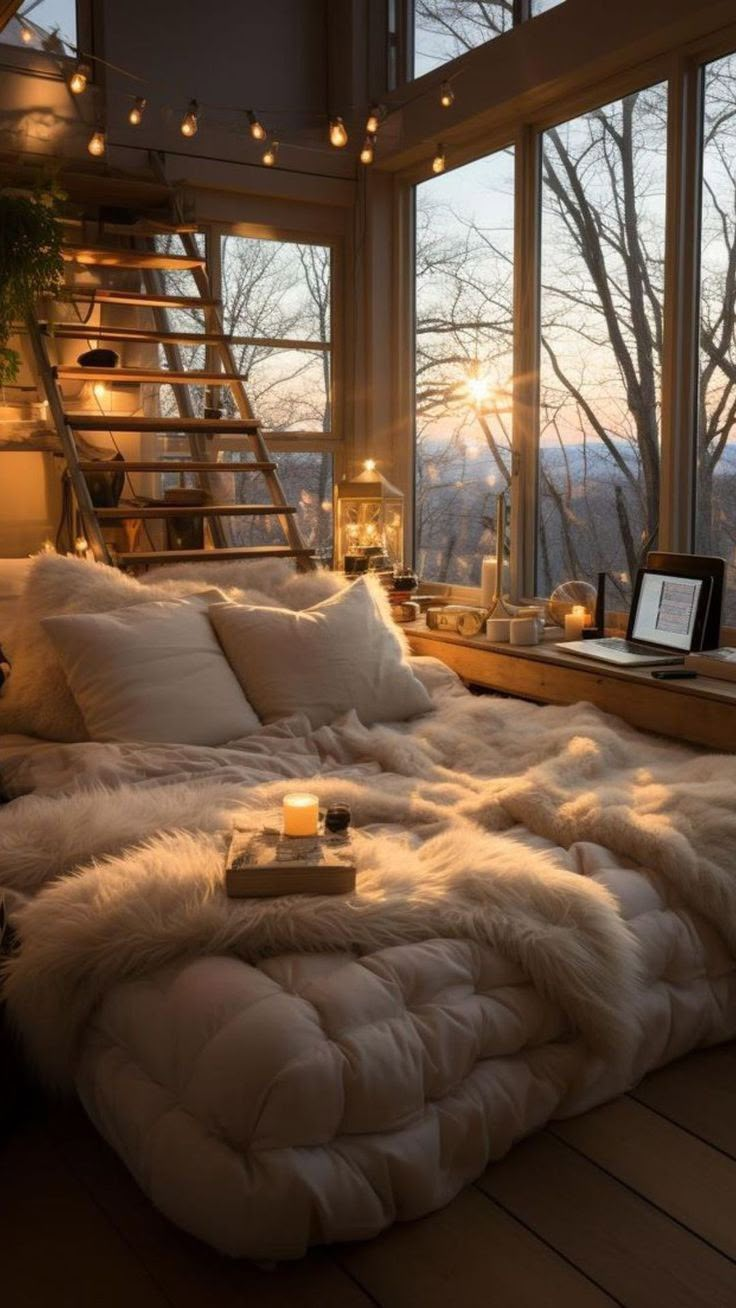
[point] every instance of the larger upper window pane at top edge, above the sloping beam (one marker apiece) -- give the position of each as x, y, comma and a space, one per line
445, 29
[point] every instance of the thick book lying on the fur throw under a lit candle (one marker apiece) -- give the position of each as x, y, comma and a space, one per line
266, 864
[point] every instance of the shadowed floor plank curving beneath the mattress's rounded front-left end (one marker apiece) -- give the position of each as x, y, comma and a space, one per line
192, 1275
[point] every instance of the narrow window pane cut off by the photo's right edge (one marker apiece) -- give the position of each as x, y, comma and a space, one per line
716, 528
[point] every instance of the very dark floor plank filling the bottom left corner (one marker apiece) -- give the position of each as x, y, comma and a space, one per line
57, 1247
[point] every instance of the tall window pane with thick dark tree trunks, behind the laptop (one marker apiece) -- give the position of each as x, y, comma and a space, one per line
602, 296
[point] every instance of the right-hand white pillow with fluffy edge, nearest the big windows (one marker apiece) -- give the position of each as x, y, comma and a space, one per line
346, 653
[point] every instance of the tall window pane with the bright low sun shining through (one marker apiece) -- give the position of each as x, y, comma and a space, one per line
463, 364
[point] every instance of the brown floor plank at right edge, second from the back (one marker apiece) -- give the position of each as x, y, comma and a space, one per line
679, 1173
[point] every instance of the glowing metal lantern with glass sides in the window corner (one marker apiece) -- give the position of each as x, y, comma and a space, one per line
369, 523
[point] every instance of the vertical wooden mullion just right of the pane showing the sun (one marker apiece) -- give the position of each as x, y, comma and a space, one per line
526, 363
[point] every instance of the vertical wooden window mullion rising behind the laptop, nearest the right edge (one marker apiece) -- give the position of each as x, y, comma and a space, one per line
682, 308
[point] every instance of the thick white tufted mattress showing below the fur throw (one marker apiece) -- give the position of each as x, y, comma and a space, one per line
320, 1098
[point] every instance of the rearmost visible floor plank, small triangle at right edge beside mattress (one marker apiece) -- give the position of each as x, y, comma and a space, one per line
700, 1094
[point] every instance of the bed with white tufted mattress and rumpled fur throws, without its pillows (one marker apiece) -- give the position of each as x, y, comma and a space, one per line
546, 911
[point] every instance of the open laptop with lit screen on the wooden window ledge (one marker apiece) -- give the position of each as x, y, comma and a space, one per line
667, 621
